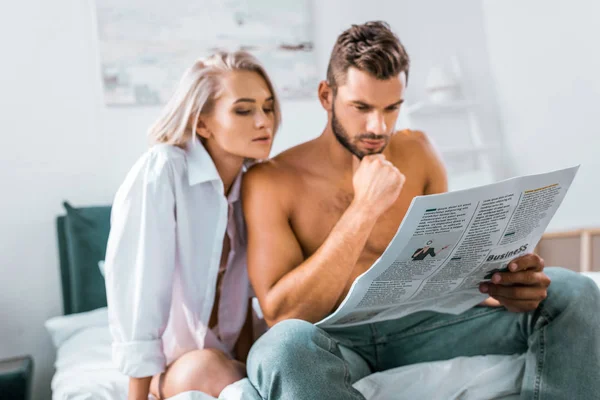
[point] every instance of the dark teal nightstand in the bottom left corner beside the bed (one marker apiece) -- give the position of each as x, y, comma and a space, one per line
15, 378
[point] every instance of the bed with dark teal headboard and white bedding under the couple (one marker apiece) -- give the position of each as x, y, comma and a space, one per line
84, 368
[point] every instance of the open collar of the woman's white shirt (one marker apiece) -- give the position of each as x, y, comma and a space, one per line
201, 168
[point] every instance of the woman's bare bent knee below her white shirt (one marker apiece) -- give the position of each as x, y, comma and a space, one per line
208, 371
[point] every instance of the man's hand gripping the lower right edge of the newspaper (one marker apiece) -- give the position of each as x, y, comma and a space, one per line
522, 288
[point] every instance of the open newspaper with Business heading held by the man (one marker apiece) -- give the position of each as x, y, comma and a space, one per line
449, 243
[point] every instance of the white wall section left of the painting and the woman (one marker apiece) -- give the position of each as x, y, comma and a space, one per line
58, 142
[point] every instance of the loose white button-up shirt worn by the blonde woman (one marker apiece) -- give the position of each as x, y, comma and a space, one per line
168, 222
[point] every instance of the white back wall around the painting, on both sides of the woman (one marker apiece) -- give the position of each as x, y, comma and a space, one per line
60, 142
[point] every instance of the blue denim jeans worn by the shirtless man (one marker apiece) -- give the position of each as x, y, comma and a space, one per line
296, 360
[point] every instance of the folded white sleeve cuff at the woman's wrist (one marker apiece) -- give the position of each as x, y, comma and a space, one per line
139, 359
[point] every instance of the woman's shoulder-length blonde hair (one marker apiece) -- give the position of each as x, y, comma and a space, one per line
196, 94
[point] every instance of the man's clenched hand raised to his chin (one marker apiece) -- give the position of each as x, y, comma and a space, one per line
377, 184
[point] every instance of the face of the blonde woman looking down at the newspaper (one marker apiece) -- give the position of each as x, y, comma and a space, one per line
241, 121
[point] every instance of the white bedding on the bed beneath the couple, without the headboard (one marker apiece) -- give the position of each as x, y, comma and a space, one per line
84, 370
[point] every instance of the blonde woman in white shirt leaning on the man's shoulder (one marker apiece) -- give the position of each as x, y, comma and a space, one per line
176, 280
